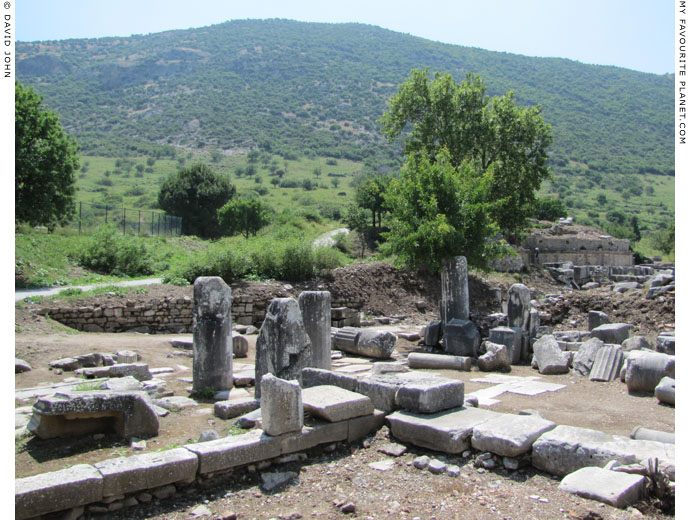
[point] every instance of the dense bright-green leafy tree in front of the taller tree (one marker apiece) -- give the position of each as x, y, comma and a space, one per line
439, 211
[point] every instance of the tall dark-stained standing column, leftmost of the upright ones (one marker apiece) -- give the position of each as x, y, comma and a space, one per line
212, 334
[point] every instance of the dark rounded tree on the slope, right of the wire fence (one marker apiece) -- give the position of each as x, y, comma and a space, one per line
195, 194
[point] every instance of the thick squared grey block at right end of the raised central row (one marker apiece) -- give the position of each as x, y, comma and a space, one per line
430, 395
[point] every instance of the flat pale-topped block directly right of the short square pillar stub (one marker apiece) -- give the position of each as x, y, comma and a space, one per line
334, 404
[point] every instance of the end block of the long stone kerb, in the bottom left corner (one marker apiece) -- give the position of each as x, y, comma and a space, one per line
57, 490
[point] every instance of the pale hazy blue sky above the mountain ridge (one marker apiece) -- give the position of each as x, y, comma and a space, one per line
635, 34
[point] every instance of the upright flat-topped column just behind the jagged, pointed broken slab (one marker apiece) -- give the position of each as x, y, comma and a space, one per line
316, 314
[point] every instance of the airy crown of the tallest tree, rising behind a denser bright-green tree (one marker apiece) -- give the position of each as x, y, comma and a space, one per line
487, 133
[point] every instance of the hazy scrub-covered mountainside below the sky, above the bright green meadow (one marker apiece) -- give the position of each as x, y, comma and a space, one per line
292, 88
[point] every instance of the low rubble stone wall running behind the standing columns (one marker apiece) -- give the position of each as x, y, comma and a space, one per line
174, 315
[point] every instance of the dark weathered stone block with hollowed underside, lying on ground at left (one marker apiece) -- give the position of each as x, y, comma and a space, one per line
126, 414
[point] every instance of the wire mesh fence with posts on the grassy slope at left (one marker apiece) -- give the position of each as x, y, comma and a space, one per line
130, 221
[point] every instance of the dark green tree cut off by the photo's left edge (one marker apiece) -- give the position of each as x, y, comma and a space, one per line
45, 162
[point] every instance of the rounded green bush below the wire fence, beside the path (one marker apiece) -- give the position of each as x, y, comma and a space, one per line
112, 253
